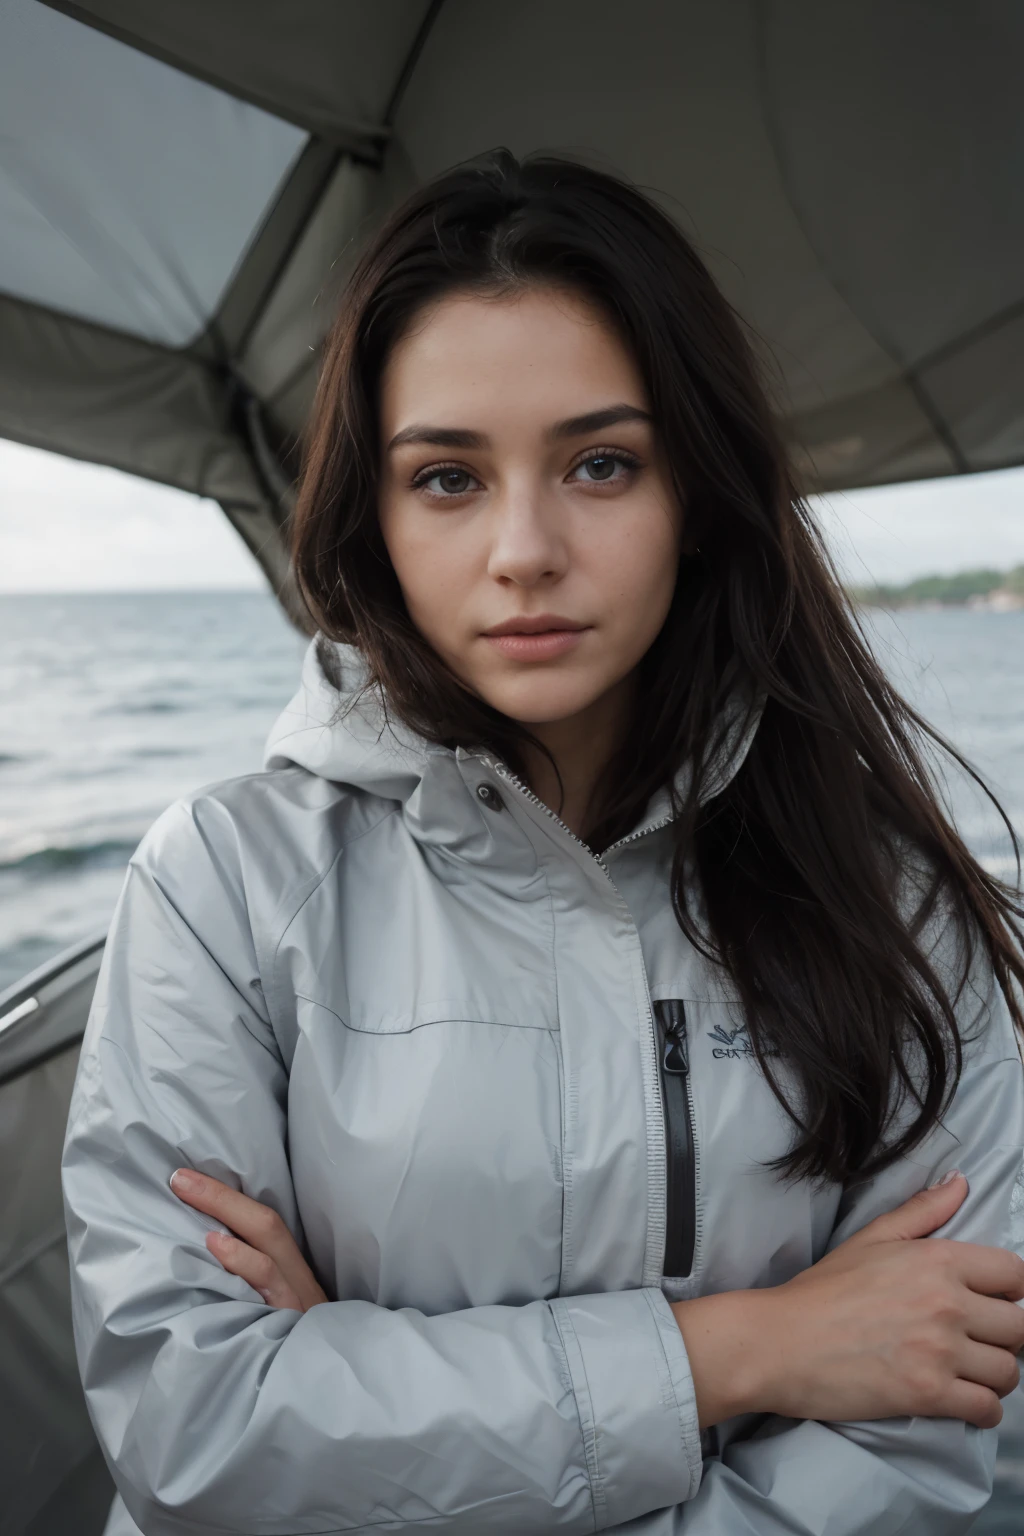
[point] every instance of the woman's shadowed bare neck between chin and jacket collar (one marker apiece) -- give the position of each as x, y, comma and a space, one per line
583, 747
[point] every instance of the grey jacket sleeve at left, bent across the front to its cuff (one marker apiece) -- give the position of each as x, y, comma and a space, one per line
219, 1414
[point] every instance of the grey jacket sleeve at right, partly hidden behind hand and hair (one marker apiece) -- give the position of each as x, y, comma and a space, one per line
894, 1475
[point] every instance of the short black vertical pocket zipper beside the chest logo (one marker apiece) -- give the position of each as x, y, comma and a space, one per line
681, 1145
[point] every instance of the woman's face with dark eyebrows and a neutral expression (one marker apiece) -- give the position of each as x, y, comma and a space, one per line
526, 503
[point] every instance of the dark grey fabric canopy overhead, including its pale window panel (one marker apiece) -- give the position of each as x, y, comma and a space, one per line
182, 191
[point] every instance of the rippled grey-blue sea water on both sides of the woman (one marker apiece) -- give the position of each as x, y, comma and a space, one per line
111, 707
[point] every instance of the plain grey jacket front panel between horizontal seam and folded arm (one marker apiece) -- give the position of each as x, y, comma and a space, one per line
426, 1153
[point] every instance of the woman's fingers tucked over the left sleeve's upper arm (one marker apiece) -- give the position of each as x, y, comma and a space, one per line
259, 1250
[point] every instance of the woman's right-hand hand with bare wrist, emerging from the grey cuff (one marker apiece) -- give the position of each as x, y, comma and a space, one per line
887, 1325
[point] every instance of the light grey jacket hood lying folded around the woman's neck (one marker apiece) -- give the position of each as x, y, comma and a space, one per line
345, 735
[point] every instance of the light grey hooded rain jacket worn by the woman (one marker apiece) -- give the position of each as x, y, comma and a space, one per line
382, 988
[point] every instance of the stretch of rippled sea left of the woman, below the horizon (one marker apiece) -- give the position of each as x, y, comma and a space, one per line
111, 707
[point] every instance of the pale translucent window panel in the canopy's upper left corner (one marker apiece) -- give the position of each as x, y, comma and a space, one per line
128, 191
